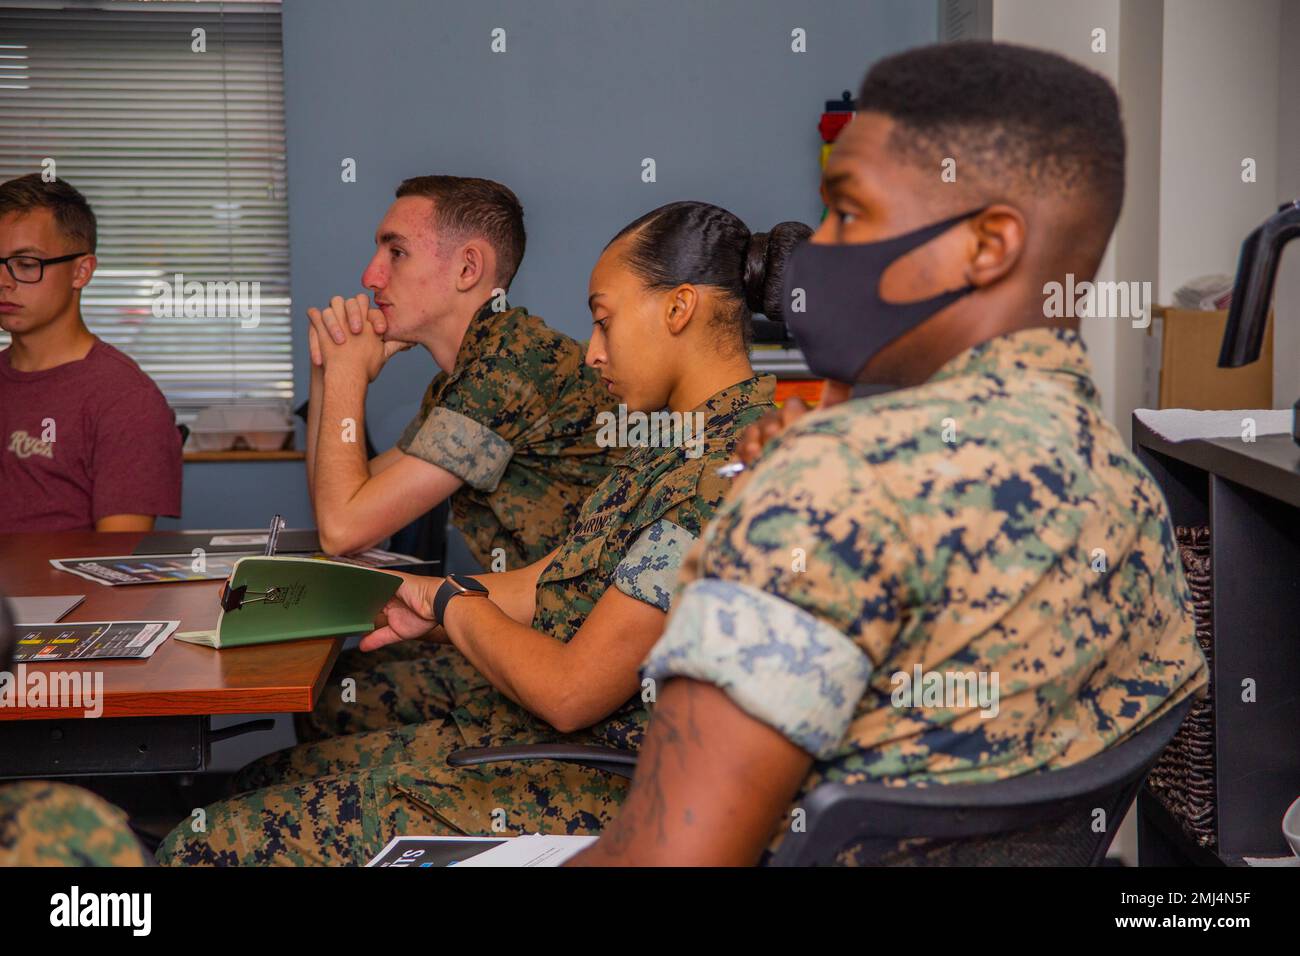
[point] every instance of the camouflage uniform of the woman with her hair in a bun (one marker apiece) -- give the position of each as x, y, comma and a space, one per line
339, 801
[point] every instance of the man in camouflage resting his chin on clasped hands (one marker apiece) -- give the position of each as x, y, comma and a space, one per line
508, 430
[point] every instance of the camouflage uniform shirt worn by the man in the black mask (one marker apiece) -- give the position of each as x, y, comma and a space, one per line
990, 522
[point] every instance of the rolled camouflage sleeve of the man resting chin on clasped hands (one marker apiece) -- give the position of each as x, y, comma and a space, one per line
474, 426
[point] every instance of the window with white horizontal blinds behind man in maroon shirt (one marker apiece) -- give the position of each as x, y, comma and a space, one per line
177, 140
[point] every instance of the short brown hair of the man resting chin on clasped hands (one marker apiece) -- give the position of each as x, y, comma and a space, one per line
467, 206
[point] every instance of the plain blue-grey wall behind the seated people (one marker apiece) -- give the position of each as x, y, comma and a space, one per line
586, 92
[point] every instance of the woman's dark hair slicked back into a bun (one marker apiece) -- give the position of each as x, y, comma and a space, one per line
707, 245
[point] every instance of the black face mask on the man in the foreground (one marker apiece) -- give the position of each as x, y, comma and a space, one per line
846, 322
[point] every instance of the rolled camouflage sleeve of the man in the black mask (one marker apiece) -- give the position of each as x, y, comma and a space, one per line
787, 595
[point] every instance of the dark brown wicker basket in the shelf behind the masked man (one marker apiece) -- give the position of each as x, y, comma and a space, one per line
1184, 777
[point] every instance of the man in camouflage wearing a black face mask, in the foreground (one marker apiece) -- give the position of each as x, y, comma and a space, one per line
985, 520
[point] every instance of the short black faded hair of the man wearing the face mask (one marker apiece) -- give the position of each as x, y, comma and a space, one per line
1011, 115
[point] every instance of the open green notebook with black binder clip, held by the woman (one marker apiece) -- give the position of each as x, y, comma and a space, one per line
288, 599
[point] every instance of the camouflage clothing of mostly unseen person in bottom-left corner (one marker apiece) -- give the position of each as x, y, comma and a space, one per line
55, 825
